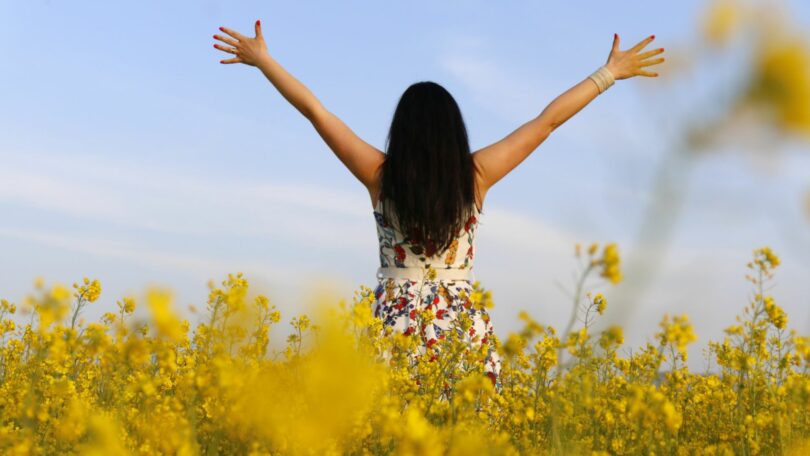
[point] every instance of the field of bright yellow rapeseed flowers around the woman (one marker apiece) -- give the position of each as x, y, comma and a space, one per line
341, 385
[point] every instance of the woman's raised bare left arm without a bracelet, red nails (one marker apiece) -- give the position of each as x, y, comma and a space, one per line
360, 157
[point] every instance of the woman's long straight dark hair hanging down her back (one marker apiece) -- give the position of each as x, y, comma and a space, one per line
428, 173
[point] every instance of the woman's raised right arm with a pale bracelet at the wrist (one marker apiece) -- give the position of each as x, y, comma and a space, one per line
498, 159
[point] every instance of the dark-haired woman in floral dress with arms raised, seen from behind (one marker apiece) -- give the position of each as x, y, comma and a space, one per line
427, 190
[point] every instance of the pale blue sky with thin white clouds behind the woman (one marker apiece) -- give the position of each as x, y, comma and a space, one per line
129, 154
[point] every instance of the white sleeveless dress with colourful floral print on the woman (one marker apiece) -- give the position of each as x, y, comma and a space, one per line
398, 299
